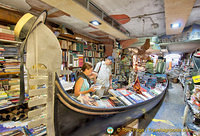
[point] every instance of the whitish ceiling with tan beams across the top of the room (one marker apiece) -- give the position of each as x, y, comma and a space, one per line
141, 18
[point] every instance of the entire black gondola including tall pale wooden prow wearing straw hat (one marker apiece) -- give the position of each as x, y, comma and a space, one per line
50, 104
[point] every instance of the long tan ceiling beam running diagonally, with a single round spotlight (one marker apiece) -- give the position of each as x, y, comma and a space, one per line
78, 11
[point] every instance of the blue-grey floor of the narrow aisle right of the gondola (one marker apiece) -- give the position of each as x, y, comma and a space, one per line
168, 119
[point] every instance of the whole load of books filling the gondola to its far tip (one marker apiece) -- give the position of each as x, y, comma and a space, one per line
129, 96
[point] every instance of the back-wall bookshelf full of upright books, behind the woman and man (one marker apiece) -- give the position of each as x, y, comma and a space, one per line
76, 52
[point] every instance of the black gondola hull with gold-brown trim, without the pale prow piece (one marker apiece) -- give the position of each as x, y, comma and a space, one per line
75, 120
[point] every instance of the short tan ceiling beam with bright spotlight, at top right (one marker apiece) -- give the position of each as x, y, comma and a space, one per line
177, 11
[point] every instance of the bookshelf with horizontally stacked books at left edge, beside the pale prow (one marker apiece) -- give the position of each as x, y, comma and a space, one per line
13, 117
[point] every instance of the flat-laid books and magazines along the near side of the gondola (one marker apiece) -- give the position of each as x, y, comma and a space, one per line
121, 97
